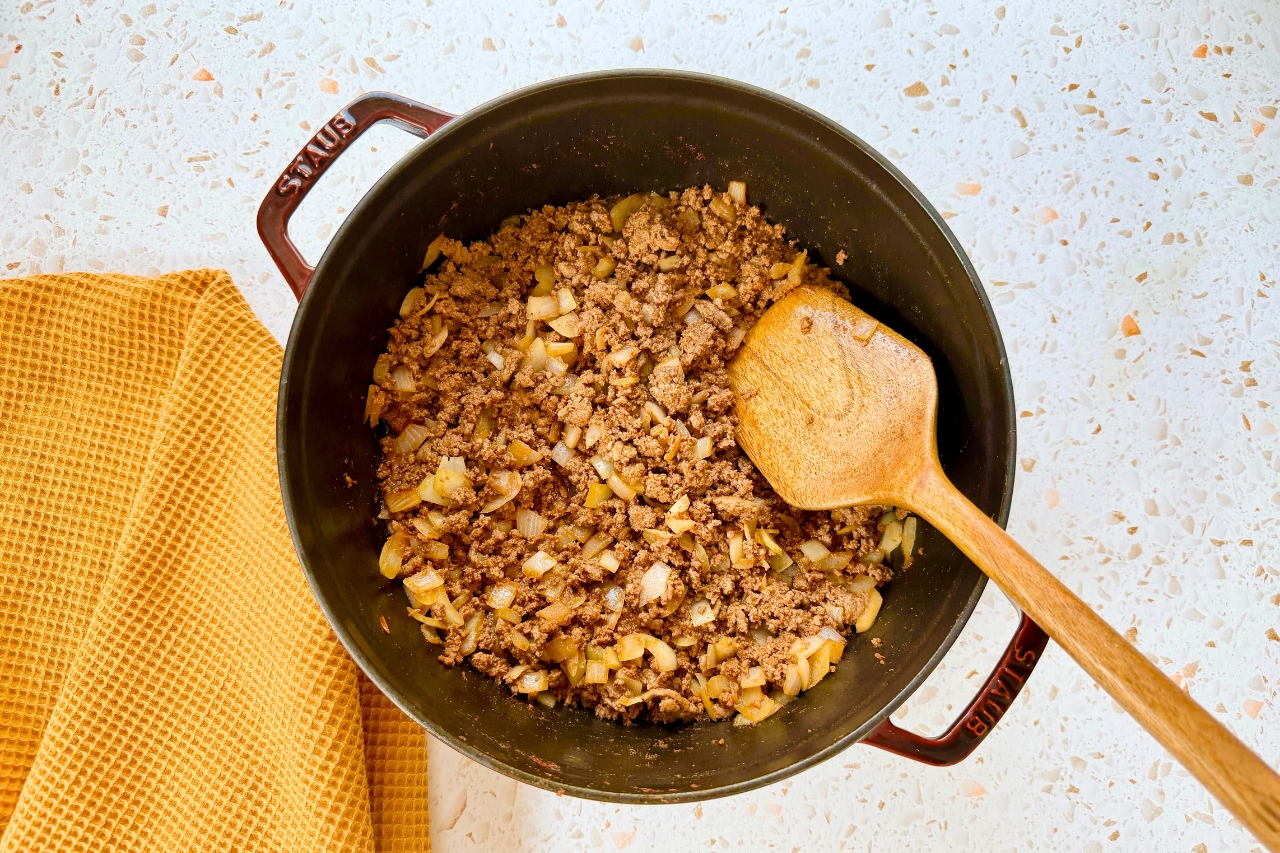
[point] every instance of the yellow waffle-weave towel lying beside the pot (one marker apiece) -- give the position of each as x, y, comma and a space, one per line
167, 681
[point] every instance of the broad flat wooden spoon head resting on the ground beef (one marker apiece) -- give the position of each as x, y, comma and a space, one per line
834, 408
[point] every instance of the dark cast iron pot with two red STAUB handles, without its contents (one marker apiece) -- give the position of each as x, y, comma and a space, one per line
614, 134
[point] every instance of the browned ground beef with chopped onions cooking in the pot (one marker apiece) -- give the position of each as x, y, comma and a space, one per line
564, 491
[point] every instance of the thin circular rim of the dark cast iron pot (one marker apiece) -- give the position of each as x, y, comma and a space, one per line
460, 125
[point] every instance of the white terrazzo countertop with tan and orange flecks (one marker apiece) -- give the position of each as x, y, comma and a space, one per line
1091, 162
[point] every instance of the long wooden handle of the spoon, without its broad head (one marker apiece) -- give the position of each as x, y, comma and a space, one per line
1227, 768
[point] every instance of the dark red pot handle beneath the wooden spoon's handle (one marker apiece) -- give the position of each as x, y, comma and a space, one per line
976, 723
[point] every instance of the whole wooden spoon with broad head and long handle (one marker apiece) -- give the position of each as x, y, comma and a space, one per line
839, 410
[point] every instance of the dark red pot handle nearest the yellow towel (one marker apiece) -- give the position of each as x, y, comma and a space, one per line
316, 157
